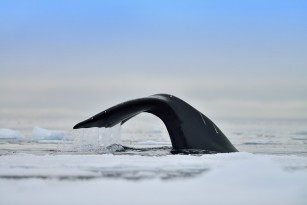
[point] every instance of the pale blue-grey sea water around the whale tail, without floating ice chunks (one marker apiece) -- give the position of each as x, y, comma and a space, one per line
146, 135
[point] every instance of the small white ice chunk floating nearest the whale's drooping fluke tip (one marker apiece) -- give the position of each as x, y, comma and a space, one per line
40, 134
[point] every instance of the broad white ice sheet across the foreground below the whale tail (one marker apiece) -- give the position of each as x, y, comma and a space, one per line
237, 178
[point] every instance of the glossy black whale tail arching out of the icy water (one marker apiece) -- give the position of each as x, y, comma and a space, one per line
187, 127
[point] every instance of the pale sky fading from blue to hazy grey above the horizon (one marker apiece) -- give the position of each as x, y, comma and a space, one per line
229, 59
